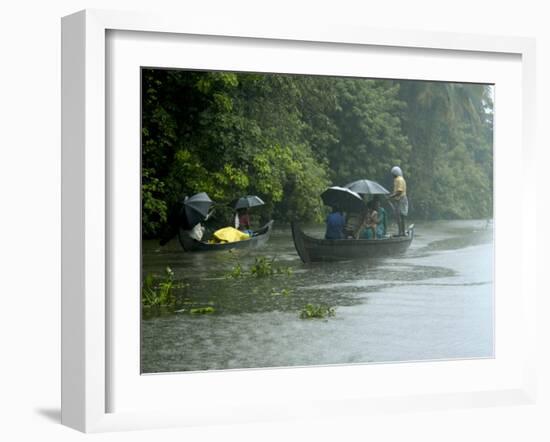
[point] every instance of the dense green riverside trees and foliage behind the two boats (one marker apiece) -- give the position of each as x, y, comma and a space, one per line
286, 137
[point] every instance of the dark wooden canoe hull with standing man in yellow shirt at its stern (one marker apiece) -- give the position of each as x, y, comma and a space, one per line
315, 249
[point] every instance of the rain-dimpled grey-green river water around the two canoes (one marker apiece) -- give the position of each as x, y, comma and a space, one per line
434, 302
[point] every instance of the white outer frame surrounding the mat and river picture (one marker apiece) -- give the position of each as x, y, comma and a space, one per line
86, 205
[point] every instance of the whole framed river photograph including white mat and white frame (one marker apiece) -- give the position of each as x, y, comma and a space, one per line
271, 223
